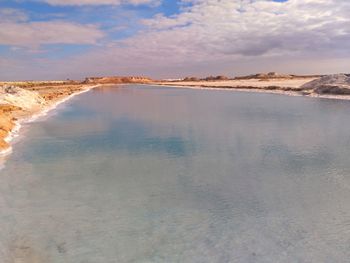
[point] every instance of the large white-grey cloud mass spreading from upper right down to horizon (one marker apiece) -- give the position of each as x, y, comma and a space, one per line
230, 37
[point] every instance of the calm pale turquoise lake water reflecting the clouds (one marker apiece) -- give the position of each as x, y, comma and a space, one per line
155, 174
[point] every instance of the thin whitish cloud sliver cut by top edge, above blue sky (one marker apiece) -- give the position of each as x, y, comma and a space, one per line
101, 2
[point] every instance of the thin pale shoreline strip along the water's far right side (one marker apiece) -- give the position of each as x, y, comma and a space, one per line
258, 90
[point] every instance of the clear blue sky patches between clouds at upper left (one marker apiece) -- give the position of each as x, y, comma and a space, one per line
108, 17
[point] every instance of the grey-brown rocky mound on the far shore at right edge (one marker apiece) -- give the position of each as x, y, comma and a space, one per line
338, 84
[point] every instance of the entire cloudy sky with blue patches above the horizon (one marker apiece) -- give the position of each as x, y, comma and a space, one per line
61, 39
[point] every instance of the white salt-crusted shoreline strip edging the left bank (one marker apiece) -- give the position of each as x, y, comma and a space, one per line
34, 116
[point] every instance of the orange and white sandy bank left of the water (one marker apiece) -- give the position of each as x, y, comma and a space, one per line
29, 102
